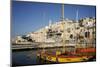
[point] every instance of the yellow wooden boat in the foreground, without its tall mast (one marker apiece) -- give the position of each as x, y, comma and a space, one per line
63, 57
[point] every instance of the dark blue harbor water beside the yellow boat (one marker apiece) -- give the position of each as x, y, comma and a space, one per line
29, 57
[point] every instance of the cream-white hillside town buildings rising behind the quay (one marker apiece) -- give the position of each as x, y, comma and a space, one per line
81, 32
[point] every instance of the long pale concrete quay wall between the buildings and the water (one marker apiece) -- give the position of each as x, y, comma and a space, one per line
36, 45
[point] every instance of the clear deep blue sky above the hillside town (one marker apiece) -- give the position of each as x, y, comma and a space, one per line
31, 16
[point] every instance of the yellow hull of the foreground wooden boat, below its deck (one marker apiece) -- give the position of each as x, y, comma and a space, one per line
63, 59
